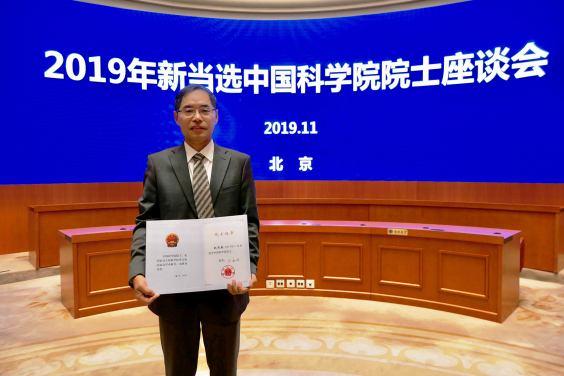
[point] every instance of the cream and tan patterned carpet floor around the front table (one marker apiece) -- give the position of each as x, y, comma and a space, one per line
284, 336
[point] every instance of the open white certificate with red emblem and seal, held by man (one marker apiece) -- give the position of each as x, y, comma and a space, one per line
197, 254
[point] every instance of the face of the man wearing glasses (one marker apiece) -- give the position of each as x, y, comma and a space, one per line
198, 129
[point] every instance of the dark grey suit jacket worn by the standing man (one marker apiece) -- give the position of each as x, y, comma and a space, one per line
167, 194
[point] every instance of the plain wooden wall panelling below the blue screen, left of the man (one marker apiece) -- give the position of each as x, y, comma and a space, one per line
14, 200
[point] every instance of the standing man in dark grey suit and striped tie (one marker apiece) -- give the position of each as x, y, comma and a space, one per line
168, 193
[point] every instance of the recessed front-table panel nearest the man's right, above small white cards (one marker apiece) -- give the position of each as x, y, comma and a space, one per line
286, 259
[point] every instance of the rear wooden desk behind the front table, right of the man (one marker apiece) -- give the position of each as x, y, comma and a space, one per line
542, 226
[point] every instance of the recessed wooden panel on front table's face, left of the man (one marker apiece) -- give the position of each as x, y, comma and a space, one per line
101, 279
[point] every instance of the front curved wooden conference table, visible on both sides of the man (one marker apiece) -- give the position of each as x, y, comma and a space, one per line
466, 270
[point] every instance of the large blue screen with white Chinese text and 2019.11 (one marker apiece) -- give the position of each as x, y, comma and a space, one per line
467, 92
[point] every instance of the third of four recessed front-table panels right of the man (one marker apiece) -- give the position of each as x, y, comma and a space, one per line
401, 266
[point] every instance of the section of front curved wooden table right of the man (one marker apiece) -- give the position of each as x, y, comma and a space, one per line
466, 270
